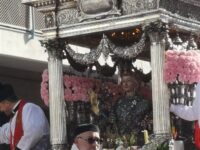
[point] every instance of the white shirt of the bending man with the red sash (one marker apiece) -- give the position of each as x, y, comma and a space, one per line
35, 126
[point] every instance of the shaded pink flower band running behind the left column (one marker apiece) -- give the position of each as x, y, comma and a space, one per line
77, 88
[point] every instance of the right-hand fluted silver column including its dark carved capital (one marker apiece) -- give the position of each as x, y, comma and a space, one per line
161, 117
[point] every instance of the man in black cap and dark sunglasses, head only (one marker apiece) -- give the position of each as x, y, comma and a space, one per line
86, 137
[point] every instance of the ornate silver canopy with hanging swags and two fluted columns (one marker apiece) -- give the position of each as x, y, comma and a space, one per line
95, 23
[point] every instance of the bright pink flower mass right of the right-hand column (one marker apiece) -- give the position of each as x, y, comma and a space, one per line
182, 66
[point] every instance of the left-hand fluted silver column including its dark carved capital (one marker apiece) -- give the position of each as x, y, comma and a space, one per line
58, 123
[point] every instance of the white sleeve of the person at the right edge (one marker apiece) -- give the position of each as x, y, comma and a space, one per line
190, 113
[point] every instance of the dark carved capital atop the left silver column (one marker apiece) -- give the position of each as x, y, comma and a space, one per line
56, 47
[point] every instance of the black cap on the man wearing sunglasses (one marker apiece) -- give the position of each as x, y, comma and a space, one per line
84, 128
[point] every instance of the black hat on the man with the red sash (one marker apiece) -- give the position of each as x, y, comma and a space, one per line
6, 91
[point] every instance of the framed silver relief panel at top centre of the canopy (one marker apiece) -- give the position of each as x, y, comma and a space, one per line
97, 9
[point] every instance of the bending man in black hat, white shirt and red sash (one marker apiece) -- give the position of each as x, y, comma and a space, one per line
28, 128
